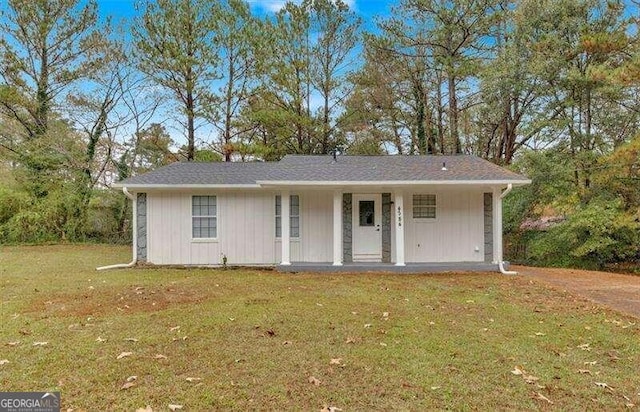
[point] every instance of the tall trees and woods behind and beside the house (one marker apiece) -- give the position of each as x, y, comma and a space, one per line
549, 88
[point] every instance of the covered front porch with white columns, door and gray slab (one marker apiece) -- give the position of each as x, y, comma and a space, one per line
373, 229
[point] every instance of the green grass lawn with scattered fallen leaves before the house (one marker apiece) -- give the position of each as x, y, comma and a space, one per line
241, 339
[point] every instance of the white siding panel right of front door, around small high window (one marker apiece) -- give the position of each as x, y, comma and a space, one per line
455, 233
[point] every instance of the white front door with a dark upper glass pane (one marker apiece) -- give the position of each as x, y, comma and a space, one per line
367, 228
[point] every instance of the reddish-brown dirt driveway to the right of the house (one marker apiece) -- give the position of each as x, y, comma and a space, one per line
620, 292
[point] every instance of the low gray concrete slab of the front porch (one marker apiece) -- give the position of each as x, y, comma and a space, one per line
390, 267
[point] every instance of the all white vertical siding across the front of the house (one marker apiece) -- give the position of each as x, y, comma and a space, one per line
246, 229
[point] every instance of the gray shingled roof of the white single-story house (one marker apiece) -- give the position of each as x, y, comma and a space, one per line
298, 168
